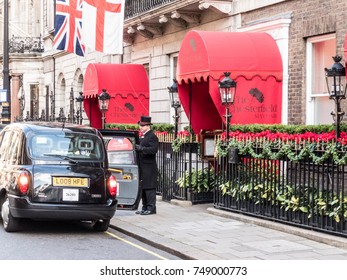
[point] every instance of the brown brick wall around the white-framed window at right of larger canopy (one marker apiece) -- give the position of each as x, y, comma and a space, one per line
309, 18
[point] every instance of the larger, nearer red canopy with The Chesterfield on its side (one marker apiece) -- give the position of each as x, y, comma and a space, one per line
255, 64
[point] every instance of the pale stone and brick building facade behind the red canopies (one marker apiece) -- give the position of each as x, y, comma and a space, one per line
307, 33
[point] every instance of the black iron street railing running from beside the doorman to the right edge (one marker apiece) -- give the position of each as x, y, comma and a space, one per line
303, 193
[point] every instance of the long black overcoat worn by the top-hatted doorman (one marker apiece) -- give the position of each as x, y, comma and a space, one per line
148, 163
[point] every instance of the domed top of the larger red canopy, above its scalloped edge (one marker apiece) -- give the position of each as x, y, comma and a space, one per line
206, 53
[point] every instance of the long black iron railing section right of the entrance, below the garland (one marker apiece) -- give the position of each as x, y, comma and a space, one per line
300, 193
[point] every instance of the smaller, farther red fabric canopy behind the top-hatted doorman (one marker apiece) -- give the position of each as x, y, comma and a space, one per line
128, 87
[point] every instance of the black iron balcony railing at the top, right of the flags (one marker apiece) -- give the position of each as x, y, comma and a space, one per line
137, 7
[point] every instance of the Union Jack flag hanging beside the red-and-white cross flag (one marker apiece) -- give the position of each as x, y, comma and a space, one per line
68, 26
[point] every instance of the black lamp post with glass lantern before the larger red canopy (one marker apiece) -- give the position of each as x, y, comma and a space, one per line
227, 90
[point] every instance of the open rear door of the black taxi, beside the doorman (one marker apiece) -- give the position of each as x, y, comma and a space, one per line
124, 165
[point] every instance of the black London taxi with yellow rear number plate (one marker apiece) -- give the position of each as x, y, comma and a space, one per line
55, 171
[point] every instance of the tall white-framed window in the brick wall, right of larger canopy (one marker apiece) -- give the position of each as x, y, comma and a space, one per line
320, 51
